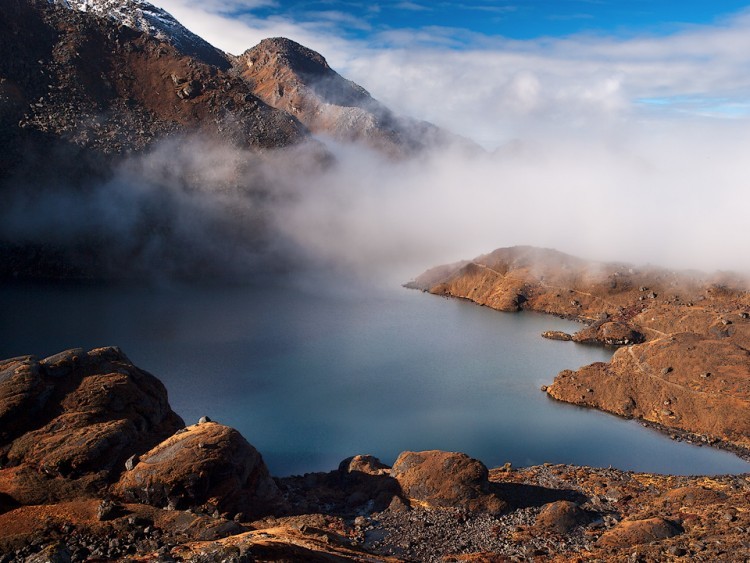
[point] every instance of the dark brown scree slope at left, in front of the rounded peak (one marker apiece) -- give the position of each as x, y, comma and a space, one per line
91, 83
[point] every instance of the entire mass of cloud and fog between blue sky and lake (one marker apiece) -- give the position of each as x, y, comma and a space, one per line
629, 149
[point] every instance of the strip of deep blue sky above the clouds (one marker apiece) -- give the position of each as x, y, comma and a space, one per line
527, 19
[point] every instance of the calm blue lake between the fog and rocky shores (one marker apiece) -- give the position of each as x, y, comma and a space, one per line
311, 375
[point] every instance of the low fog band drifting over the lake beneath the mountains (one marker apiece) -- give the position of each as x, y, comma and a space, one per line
673, 195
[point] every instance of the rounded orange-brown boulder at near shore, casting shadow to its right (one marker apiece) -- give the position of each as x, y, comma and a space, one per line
438, 479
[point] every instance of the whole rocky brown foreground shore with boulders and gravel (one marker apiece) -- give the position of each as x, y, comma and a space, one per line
94, 465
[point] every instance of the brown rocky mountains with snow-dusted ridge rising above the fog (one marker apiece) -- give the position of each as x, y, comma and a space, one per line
117, 75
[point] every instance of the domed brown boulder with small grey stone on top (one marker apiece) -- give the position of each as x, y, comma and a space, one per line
207, 466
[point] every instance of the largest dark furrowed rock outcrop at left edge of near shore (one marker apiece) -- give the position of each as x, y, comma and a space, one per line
70, 421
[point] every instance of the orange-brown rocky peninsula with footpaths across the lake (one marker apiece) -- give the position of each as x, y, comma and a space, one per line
684, 361
